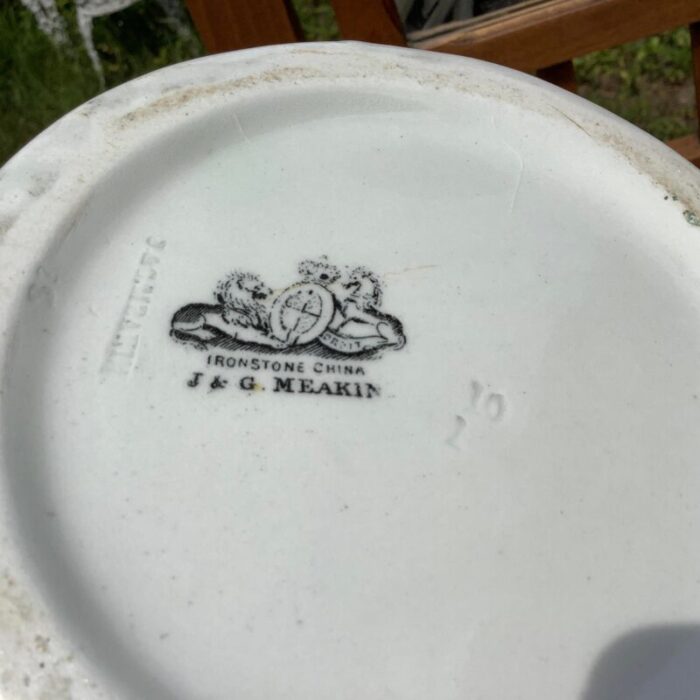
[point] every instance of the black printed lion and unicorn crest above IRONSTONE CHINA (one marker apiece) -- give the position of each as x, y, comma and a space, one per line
328, 312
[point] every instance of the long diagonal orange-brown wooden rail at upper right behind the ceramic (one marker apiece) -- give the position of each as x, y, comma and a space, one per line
548, 33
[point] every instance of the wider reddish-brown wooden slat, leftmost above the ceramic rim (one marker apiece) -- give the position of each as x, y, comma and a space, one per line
226, 25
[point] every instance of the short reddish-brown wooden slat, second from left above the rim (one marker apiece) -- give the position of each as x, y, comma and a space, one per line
369, 20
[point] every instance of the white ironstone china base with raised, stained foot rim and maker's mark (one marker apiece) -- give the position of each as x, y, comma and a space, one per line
464, 464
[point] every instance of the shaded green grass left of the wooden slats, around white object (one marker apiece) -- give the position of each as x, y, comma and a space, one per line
40, 82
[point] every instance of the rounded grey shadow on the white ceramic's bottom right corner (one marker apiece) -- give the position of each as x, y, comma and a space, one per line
652, 663
